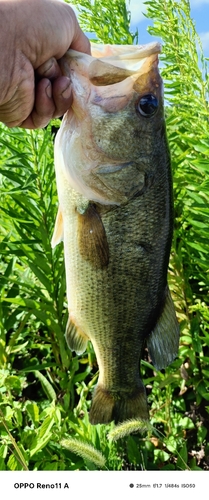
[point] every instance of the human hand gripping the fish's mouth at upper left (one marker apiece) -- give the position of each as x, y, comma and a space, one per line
33, 36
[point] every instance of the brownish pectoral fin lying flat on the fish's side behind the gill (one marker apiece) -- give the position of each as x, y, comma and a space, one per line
92, 239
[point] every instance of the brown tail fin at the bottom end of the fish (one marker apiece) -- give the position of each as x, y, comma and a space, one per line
118, 405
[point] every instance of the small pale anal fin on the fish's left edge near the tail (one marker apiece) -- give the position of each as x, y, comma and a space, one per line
76, 339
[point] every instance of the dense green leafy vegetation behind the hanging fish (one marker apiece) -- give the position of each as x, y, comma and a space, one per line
45, 390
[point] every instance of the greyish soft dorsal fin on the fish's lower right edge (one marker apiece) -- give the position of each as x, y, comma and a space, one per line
163, 342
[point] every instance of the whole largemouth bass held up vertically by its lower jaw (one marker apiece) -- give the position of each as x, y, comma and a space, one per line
115, 217
